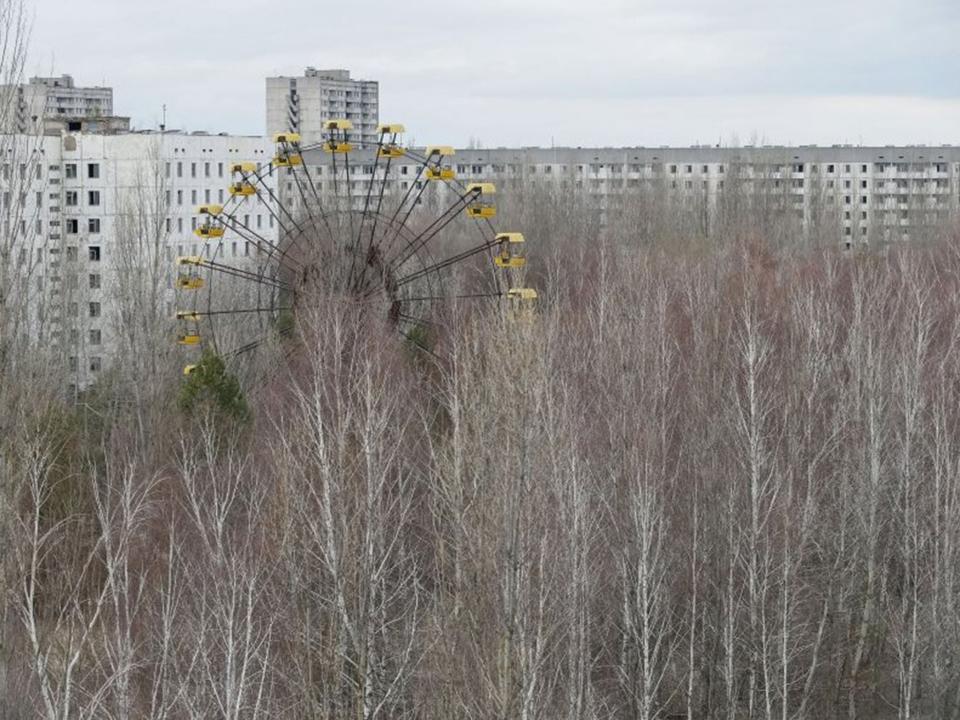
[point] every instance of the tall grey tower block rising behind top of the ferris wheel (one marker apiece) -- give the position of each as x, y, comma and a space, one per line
303, 104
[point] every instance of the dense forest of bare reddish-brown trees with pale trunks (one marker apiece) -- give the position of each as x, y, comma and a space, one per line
705, 477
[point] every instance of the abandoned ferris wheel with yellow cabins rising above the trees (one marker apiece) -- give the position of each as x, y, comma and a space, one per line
404, 242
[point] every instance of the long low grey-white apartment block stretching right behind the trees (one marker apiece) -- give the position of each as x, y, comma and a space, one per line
875, 194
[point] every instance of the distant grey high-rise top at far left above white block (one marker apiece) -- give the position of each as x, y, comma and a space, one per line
54, 98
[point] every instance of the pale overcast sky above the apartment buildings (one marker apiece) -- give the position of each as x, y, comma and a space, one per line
535, 72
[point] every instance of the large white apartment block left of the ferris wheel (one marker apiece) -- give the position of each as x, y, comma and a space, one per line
89, 199
